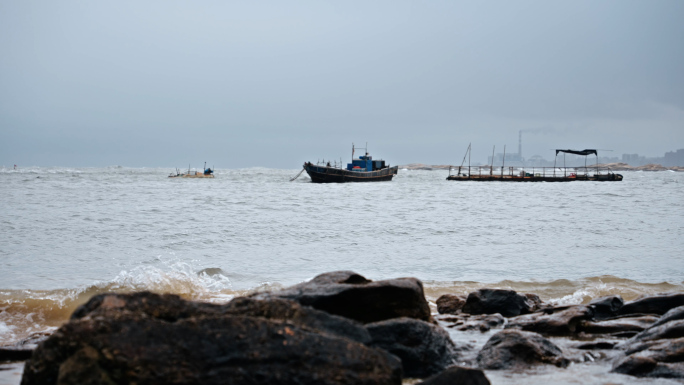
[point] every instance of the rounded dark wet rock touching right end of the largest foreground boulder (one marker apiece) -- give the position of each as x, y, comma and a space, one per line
424, 348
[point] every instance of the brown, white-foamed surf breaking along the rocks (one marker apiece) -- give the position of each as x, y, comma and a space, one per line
24, 312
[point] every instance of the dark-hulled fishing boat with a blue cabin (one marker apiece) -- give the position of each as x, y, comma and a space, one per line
361, 169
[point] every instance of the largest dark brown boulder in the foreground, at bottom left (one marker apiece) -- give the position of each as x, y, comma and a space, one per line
126, 347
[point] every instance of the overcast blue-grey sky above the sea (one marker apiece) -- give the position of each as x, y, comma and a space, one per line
275, 84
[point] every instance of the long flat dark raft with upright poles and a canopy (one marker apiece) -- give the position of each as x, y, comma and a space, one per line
535, 174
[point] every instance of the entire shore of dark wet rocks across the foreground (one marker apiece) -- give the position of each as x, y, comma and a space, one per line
342, 328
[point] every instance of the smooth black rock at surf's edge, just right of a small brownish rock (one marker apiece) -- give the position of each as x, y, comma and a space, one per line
505, 302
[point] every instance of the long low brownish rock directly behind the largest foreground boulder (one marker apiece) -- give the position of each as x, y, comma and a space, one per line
172, 308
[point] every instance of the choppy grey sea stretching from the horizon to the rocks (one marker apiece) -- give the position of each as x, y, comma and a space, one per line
70, 233
